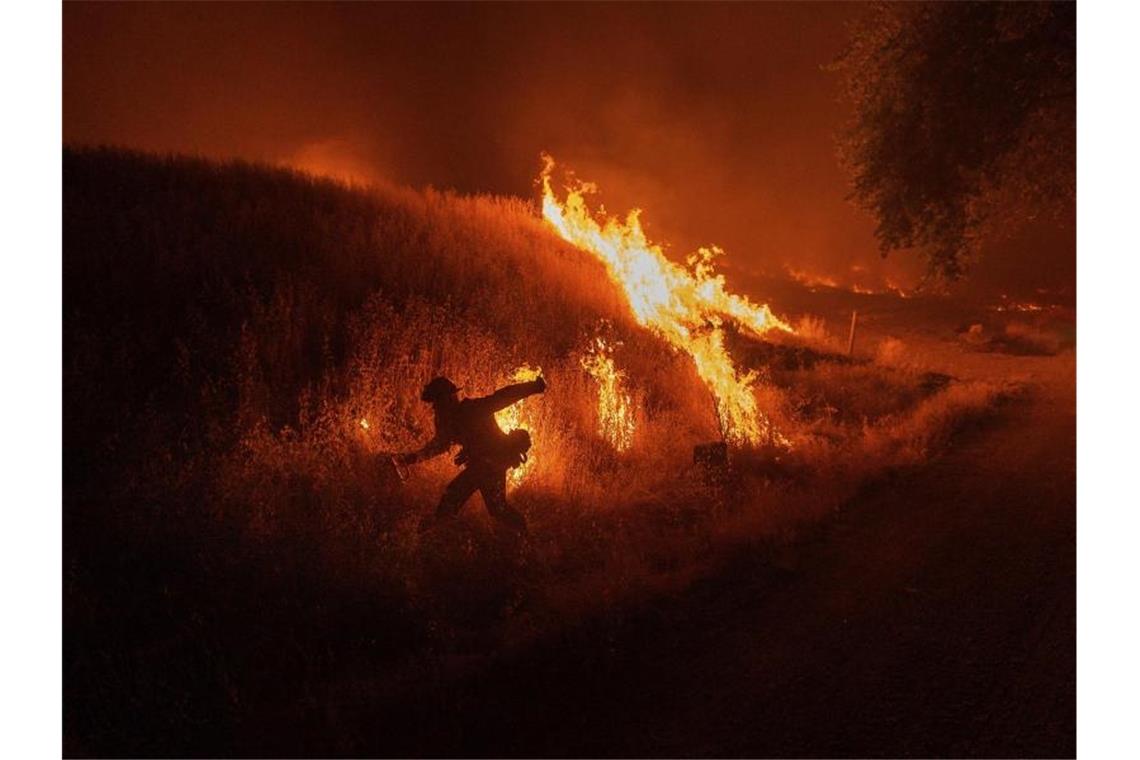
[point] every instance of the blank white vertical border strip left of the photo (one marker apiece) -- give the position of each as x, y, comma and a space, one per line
31, 386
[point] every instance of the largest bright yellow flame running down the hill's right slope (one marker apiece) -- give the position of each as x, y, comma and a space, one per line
685, 306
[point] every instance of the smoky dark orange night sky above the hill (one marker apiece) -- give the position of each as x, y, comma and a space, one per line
719, 121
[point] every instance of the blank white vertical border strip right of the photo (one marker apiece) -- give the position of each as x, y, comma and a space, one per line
1109, 383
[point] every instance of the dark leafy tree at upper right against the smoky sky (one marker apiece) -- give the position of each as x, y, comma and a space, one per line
964, 122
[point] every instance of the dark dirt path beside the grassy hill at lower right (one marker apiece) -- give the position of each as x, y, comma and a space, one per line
934, 617
